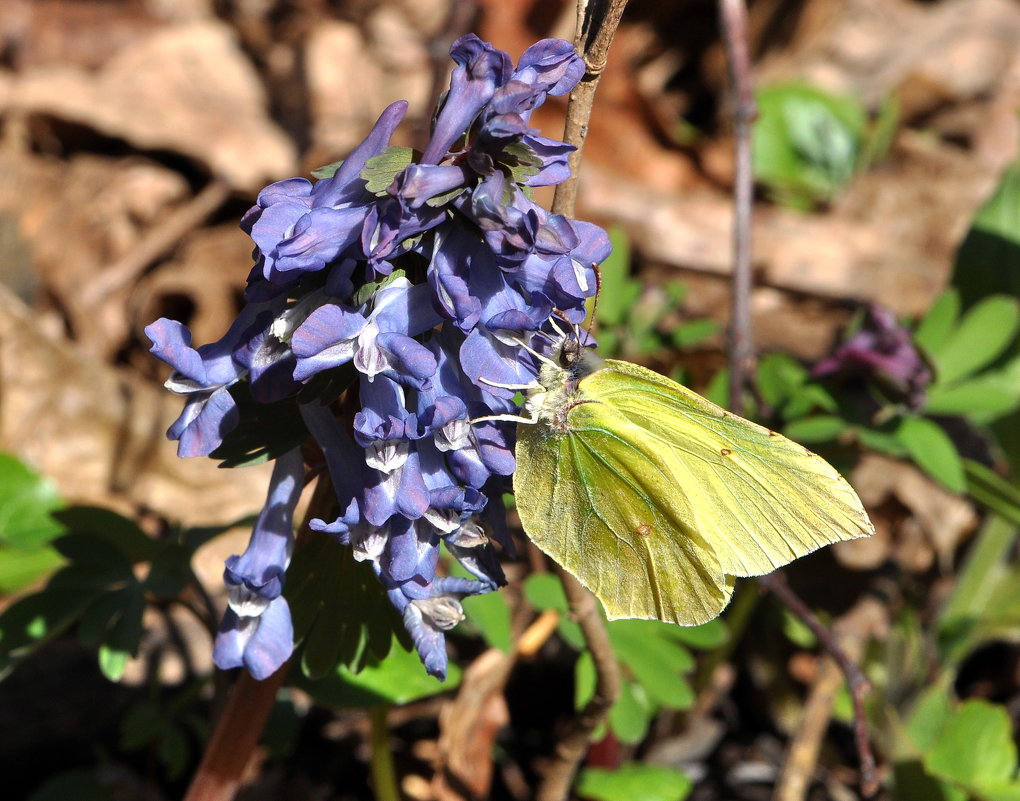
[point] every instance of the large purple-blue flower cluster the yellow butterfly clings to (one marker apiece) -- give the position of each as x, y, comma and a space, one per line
416, 286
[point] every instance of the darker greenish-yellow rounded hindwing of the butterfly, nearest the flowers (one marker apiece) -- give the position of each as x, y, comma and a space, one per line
599, 502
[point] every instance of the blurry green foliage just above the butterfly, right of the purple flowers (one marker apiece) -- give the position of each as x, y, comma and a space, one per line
637, 321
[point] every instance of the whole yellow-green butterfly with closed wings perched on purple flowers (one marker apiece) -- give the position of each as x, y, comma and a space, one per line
655, 498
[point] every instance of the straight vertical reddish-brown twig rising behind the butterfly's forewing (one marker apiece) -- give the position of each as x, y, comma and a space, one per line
734, 19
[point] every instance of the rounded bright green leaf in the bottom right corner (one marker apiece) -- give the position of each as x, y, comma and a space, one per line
976, 747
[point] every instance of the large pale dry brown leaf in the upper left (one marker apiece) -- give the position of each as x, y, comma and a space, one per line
187, 88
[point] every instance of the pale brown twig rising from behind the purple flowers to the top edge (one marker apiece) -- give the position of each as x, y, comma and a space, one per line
597, 23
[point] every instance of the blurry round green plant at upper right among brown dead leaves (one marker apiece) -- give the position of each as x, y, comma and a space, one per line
808, 144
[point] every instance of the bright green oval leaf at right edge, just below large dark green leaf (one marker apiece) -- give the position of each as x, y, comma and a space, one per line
982, 336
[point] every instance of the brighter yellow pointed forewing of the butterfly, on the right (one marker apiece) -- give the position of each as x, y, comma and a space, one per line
759, 499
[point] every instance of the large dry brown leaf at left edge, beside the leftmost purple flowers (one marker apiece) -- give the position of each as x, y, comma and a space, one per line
99, 433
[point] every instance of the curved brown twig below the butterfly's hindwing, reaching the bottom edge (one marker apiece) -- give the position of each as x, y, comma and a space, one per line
574, 745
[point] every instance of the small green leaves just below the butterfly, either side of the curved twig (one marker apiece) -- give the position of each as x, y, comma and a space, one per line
655, 661
